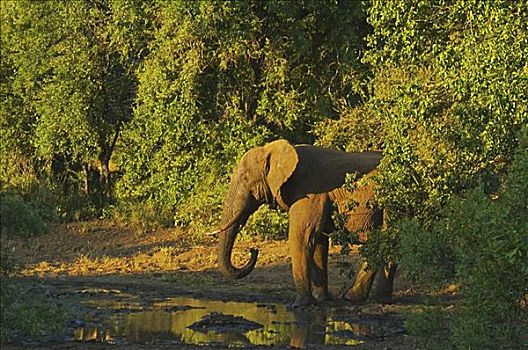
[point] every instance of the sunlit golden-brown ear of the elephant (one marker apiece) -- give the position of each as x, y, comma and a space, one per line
282, 162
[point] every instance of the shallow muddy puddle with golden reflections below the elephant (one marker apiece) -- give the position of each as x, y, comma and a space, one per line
169, 321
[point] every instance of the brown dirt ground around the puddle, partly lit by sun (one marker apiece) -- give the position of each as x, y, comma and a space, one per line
100, 262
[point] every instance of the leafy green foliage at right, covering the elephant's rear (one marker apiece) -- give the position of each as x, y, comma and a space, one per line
448, 91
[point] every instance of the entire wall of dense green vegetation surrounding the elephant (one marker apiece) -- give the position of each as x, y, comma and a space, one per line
140, 109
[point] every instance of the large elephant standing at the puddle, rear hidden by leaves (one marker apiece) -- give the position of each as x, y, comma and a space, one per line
305, 181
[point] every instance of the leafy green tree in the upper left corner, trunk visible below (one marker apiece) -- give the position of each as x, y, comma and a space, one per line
71, 66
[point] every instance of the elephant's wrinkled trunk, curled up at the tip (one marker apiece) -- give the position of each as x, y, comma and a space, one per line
239, 205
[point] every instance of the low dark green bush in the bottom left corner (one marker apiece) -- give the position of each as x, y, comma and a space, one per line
27, 312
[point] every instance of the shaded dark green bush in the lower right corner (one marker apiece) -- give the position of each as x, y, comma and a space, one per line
492, 253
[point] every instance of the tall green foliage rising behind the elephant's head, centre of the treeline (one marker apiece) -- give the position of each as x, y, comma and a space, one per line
222, 77
